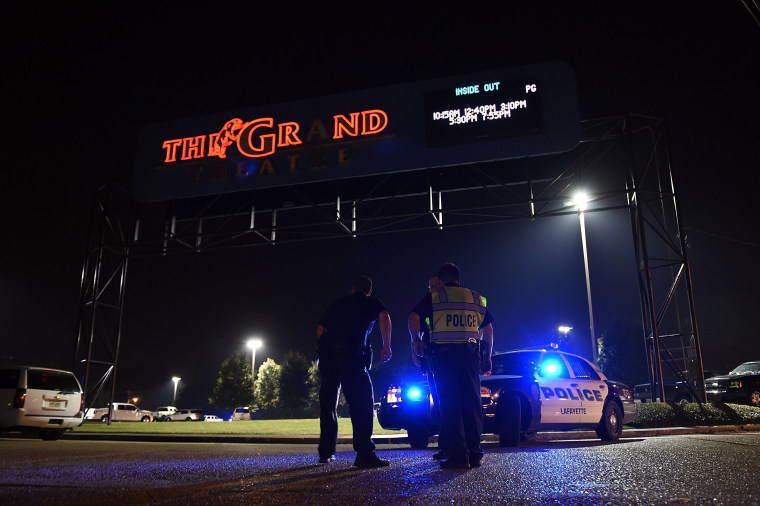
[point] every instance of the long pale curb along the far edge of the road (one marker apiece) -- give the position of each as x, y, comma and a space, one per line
393, 438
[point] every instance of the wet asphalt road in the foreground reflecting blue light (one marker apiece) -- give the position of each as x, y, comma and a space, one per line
682, 469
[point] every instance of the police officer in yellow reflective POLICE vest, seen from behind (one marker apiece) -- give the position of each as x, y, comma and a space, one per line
458, 316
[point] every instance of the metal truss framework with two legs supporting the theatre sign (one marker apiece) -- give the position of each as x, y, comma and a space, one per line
621, 163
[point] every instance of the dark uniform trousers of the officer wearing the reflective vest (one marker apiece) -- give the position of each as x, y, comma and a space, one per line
457, 377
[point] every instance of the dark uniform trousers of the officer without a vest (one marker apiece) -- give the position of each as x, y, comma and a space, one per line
344, 370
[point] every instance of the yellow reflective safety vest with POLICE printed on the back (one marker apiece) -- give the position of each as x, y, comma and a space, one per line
458, 313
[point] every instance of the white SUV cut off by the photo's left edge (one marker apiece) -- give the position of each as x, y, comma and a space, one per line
37, 399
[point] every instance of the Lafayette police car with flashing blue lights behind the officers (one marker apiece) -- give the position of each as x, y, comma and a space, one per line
527, 391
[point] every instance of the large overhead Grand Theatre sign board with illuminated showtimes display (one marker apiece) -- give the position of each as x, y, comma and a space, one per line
495, 115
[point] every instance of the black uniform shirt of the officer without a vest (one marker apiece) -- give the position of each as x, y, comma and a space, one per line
349, 318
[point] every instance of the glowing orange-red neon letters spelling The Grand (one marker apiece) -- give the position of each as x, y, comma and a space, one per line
260, 137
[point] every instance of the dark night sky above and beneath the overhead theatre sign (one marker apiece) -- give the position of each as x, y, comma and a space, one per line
81, 80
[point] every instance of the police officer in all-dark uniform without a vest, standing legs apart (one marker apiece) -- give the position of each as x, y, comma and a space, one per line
341, 334
